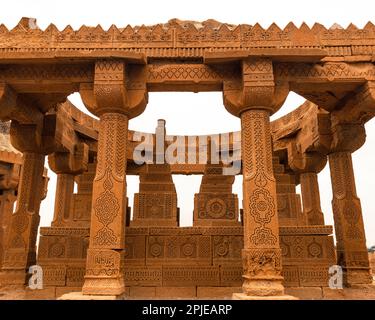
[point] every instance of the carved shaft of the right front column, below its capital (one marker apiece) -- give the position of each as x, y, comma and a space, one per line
262, 254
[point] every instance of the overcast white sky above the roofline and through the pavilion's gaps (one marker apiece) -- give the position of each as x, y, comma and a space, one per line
203, 113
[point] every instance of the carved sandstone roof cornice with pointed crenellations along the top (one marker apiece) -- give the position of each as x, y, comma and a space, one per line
184, 39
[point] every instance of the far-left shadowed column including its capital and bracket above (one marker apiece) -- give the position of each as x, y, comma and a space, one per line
28, 136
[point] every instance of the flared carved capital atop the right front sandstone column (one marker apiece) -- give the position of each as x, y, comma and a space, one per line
257, 89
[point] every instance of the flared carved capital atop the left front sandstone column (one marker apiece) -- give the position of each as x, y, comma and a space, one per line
113, 92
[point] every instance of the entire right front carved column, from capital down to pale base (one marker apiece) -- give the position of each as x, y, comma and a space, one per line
260, 97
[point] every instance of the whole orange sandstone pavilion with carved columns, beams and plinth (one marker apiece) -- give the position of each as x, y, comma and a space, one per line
94, 247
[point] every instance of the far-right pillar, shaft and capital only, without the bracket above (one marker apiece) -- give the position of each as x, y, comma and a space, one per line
347, 212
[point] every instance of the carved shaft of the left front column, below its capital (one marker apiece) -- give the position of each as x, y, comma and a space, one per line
104, 273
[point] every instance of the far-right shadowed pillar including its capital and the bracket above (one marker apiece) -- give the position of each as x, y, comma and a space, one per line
348, 135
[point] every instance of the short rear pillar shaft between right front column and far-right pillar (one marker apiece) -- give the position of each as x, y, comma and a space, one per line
311, 198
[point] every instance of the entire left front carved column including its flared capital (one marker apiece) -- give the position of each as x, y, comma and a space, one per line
111, 100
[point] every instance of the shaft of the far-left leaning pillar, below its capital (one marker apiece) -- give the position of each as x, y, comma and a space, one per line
20, 251
